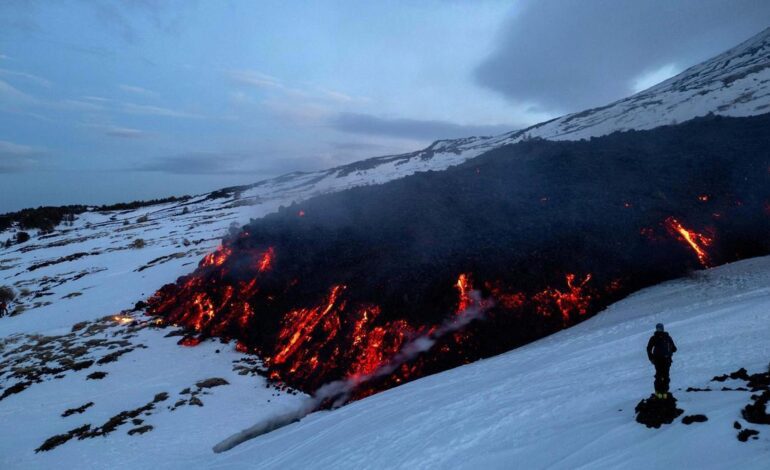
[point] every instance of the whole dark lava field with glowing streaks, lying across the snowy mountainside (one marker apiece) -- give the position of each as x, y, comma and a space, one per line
549, 232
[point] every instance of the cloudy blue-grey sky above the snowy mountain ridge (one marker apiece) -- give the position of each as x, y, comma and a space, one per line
104, 101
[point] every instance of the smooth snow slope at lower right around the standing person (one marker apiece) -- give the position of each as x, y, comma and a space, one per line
565, 401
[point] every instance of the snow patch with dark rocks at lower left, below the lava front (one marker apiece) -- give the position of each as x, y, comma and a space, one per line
180, 438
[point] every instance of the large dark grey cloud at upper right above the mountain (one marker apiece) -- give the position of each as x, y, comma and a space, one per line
569, 55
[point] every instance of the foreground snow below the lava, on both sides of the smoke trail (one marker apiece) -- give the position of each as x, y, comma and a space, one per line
563, 402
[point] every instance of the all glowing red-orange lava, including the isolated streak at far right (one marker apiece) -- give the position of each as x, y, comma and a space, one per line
309, 335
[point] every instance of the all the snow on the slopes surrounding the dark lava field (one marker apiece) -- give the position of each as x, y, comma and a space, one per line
553, 403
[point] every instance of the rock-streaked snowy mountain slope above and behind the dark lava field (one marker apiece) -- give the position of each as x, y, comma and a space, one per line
734, 83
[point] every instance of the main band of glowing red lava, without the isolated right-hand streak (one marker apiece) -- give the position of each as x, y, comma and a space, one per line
238, 293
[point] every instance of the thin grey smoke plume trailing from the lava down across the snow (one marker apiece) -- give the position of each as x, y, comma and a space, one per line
339, 392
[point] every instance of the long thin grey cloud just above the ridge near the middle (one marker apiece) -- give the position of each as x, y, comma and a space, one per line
355, 123
